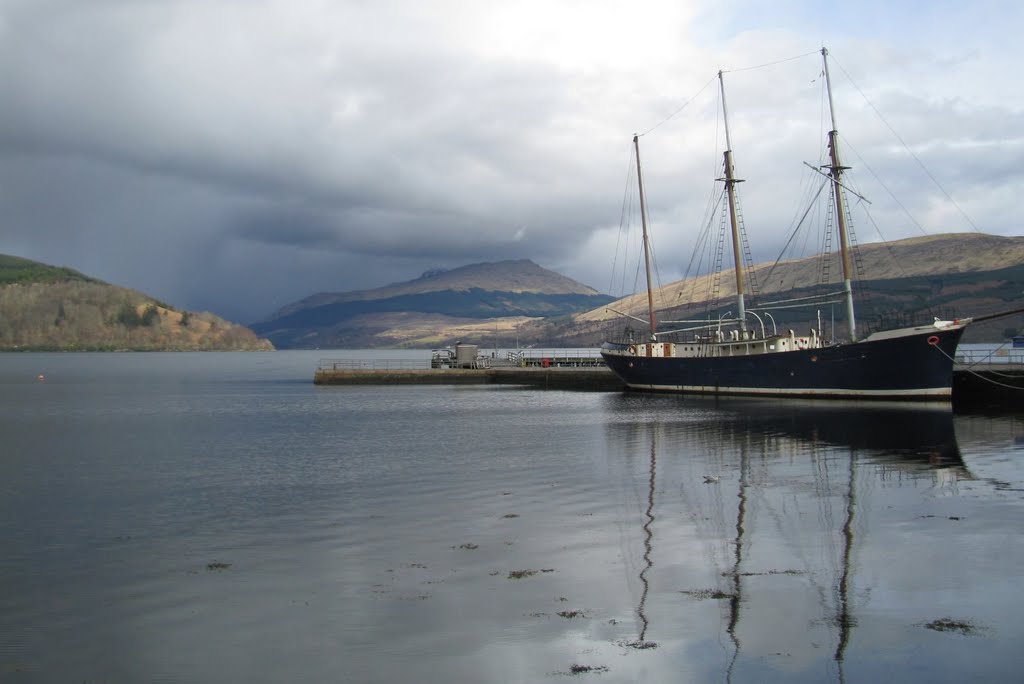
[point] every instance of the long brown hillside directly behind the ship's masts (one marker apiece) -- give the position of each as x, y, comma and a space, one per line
946, 276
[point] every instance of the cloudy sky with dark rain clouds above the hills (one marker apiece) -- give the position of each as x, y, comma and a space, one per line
236, 156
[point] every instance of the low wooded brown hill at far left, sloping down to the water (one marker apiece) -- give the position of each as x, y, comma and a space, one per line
46, 308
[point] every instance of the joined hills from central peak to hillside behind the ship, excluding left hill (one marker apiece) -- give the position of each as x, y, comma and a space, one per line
514, 304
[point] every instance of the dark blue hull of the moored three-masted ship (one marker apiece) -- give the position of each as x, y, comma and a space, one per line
912, 364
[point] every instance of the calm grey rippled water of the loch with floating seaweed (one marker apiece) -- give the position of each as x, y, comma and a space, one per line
218, 519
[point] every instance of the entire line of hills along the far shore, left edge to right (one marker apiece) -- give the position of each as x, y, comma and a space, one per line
511, 304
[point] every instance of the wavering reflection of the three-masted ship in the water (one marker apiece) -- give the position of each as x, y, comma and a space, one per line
774, 493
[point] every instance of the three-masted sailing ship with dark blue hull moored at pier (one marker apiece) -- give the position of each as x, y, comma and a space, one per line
734, 356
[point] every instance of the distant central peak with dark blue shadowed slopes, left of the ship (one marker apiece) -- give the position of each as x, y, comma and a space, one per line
439, 308
